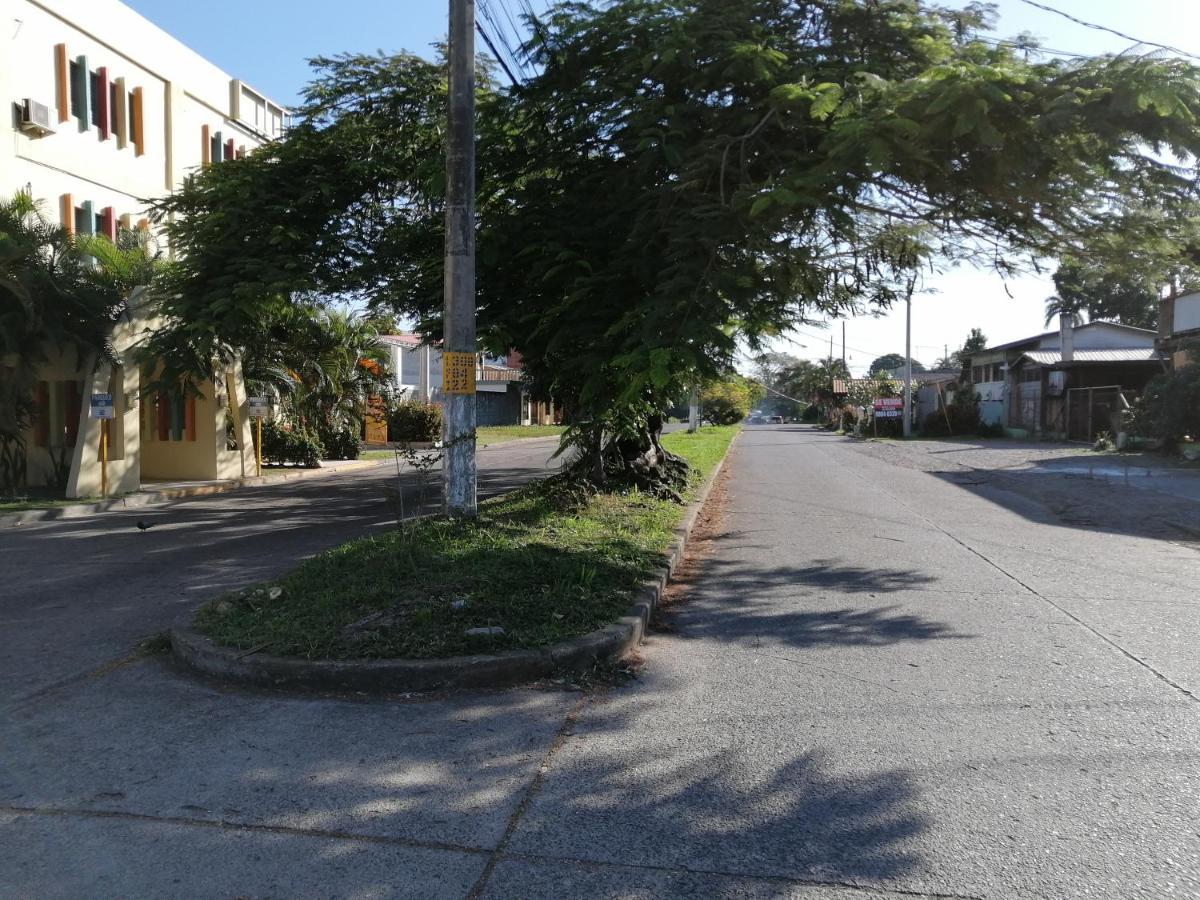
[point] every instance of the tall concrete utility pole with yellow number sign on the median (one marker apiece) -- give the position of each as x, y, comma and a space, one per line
459, 321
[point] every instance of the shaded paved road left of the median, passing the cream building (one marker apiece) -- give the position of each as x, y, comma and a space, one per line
81, 593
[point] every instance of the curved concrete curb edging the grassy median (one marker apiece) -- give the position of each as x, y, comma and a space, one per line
500, 670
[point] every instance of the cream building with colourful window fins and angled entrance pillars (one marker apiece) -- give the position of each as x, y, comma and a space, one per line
109, 111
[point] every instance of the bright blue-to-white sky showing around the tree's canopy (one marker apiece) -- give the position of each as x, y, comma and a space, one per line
267, 44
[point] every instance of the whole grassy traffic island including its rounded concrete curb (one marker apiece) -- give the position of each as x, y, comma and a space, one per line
549, 580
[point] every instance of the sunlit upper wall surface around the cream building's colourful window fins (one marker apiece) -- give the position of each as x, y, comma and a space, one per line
182, 93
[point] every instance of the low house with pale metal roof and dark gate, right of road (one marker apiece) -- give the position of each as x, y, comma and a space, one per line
1069, 385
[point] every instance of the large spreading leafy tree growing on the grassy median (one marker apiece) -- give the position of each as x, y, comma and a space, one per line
677, 176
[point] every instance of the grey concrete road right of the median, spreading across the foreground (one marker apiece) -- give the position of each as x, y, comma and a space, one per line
875, 683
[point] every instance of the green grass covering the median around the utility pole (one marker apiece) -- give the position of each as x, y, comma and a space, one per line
544, 563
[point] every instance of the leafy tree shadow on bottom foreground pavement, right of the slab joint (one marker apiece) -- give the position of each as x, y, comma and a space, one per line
724, 801
